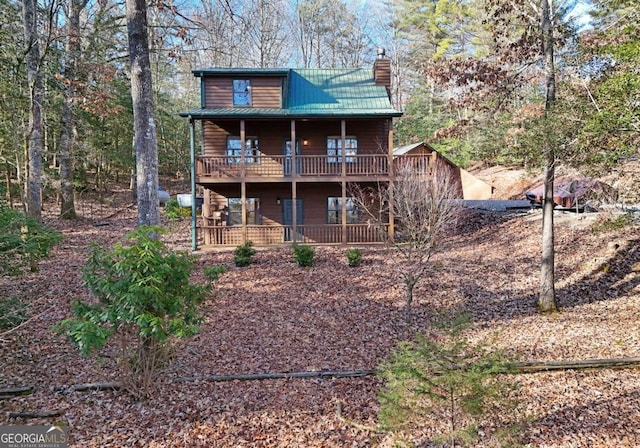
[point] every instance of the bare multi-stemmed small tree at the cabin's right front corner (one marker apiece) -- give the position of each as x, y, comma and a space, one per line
422, 201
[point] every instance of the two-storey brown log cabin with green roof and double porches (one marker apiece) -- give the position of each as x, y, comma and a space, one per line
279, 148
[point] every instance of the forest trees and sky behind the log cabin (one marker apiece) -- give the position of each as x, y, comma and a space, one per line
465, 73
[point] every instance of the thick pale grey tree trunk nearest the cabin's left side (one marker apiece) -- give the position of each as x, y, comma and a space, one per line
145, 140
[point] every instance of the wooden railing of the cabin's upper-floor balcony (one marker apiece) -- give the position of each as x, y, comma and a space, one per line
284, 166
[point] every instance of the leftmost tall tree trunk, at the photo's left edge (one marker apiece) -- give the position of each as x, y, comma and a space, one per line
36, 99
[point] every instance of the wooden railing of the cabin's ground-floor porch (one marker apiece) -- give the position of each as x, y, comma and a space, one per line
277, 235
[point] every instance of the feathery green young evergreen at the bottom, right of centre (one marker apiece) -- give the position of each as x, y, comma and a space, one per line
450, 385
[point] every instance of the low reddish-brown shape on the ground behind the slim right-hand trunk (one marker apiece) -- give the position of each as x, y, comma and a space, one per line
571, 193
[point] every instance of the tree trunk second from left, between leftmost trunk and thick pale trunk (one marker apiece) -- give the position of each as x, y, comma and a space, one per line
67, 205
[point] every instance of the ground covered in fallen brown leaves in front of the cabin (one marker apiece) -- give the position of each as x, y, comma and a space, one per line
274, 316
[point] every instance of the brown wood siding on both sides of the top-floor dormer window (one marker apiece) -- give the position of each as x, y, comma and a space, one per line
265, 92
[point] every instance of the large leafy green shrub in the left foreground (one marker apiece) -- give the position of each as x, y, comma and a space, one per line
144, 298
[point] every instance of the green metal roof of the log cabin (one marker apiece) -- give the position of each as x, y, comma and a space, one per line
311, 93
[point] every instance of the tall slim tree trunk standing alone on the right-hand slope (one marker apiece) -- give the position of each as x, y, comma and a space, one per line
547, 298
